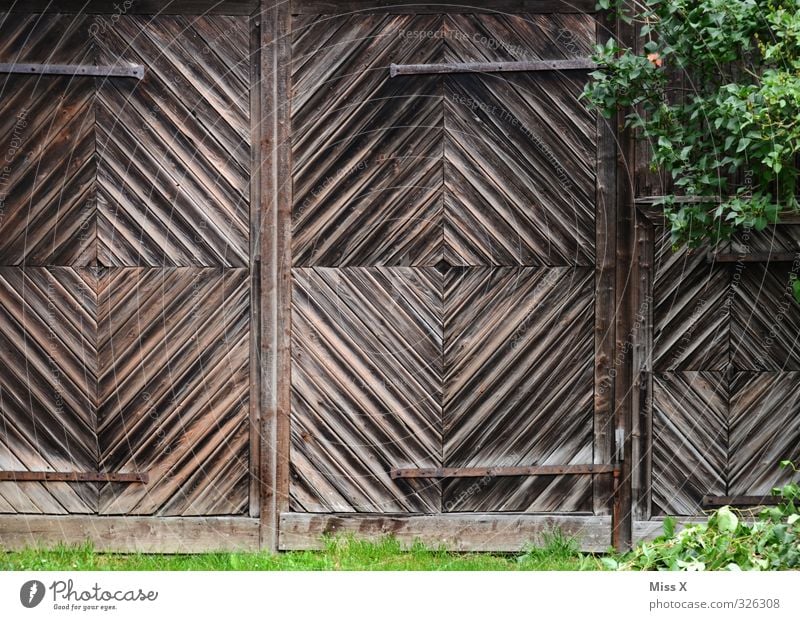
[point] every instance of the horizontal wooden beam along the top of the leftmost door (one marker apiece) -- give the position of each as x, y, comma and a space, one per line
141, 7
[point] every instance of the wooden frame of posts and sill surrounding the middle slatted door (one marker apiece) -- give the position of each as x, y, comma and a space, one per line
282, 529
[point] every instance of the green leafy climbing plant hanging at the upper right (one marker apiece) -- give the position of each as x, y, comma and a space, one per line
715, 91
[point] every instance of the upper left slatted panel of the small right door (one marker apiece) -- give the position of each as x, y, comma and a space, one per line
691, 309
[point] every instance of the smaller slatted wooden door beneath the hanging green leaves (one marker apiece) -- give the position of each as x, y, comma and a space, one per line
719, 372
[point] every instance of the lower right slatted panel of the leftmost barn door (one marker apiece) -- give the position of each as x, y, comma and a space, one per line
173, 386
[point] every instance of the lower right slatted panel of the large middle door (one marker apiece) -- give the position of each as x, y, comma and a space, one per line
518, 384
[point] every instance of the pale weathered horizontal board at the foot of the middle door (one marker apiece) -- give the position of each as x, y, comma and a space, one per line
456, 532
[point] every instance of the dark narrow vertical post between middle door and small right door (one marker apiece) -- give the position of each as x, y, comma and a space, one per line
626, 311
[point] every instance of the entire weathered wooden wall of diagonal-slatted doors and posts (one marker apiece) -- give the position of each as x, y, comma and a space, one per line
272, 289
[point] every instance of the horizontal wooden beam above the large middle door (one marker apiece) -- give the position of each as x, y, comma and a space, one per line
415, 7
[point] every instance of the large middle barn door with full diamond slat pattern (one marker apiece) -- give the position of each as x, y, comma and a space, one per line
447, 250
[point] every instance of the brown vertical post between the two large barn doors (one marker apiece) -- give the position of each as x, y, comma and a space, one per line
275, 277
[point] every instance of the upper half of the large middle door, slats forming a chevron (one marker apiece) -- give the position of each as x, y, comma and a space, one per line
415, 170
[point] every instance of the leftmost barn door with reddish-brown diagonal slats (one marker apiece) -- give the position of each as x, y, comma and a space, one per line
125, 269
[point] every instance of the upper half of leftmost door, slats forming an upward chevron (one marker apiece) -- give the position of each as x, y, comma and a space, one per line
124, 172
